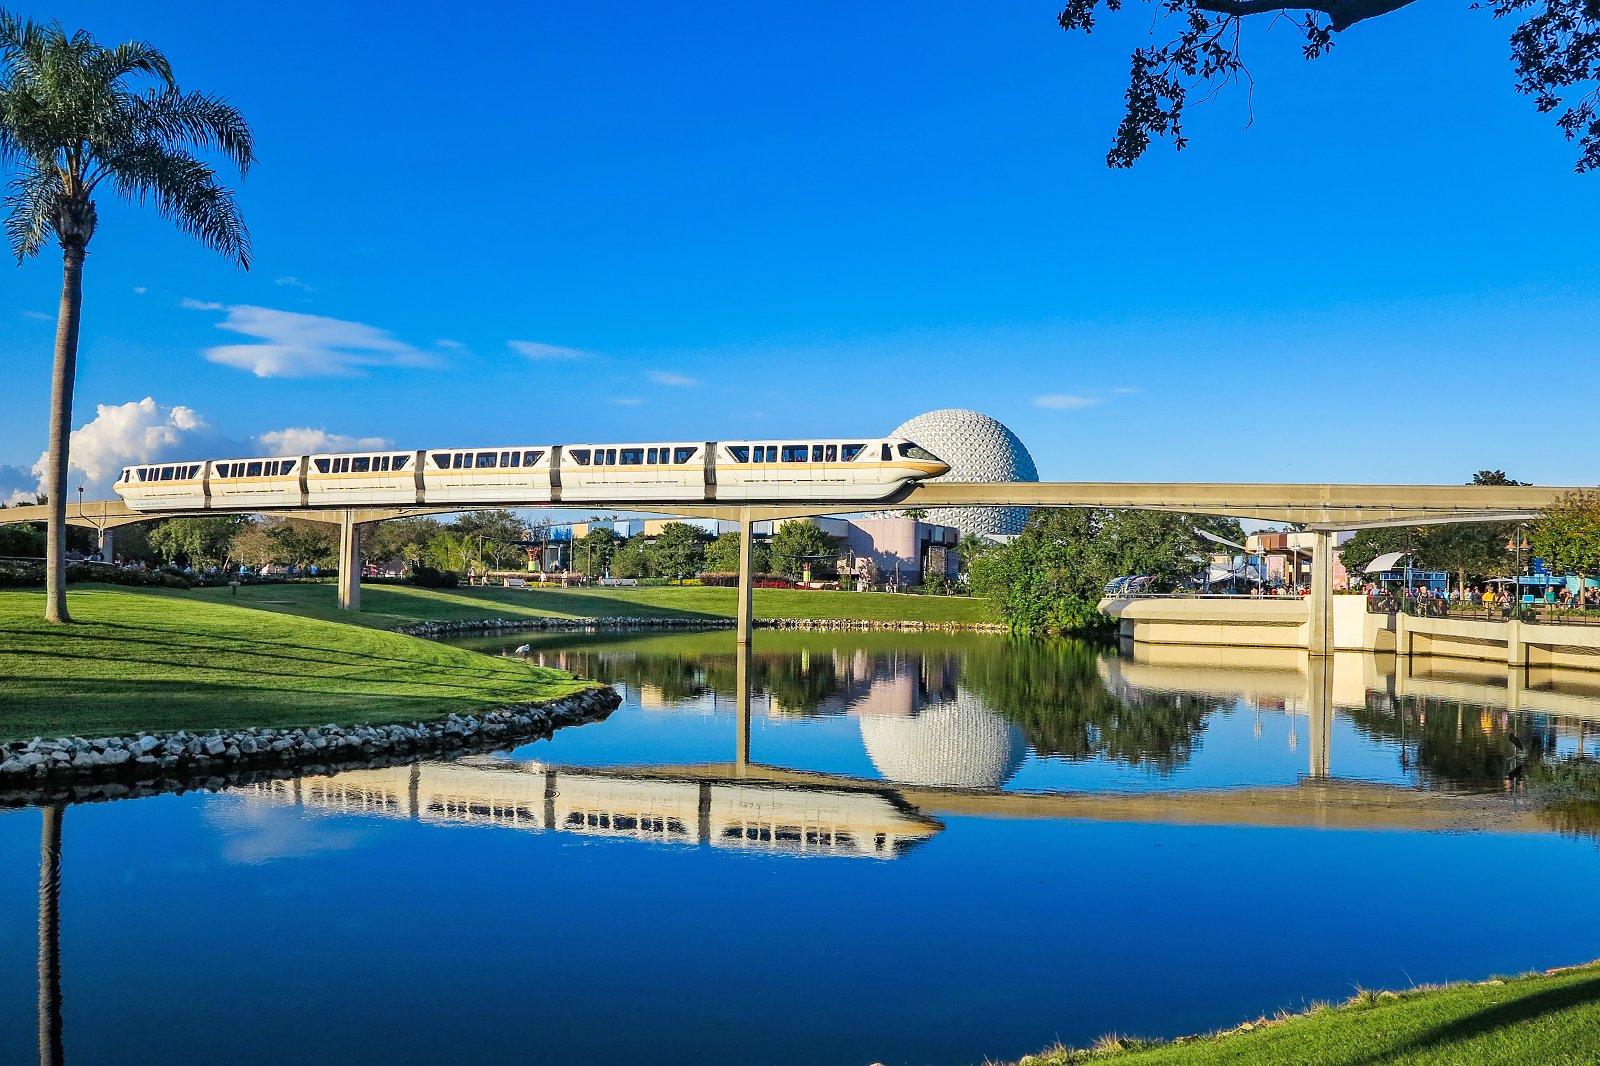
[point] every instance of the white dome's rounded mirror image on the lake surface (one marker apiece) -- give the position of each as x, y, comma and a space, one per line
959, 743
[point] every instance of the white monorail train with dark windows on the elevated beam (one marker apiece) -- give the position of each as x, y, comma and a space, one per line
686, 471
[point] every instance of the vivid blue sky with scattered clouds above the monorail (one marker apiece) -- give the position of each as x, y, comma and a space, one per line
604, 222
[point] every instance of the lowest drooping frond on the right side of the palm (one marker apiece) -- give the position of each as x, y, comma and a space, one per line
185, 191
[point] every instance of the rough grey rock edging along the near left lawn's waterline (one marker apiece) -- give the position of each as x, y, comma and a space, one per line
73, 769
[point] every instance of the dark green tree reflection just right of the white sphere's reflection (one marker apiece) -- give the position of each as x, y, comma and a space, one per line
1055, 694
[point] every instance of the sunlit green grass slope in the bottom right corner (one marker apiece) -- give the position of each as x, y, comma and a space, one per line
1537, 1020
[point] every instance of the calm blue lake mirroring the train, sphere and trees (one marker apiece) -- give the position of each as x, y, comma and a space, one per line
908, 851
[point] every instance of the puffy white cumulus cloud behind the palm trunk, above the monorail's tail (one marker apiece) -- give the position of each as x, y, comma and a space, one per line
140, 431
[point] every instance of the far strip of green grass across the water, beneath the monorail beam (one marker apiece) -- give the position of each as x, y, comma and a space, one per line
390, 606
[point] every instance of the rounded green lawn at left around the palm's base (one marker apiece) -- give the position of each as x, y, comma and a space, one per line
151, 662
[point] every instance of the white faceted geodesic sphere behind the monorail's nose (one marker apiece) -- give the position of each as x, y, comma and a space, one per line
978, 449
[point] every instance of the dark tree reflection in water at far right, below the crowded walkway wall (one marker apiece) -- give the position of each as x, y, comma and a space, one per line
1449, 742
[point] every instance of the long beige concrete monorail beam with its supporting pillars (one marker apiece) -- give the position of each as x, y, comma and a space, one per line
1324, 510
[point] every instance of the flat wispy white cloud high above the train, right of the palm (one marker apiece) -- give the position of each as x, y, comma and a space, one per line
292, 345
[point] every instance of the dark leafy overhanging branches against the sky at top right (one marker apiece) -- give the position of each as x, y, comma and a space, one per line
1556, 58
